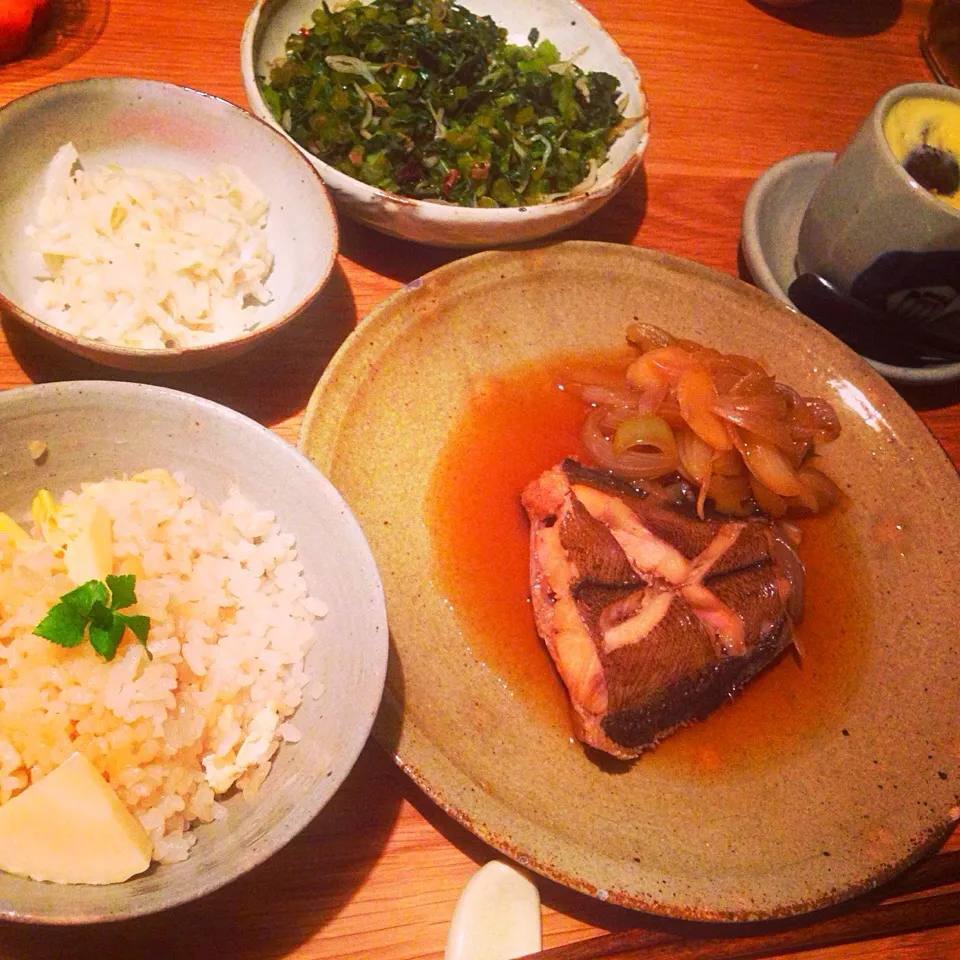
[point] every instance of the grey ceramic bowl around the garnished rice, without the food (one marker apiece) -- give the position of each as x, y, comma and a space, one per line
98, 429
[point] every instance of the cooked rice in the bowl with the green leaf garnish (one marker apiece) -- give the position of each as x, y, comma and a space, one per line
231, 623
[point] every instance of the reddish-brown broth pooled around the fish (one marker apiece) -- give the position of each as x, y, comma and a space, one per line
519, 425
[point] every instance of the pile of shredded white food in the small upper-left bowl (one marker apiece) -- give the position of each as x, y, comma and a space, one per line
149, 257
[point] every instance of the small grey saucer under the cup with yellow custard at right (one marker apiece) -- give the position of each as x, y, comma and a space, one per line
769, 231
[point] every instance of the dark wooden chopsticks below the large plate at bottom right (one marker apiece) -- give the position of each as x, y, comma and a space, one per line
870, 922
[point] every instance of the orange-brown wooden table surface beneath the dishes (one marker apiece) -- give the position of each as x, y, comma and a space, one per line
734, 86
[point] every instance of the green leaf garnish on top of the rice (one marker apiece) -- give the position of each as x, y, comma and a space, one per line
92, 609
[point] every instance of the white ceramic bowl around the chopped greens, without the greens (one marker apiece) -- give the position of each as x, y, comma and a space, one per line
564, 22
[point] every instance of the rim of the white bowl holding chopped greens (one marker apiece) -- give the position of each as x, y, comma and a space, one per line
600, 190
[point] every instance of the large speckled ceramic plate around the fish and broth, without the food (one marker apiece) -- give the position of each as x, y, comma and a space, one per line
868, 785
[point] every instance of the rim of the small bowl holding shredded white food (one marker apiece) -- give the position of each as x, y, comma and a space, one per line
90, 345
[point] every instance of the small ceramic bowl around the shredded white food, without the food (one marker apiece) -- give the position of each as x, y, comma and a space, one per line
134, 122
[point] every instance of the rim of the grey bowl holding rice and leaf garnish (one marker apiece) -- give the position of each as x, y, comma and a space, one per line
62, 394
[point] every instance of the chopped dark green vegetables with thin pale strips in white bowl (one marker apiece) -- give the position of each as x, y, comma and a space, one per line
424, 98
